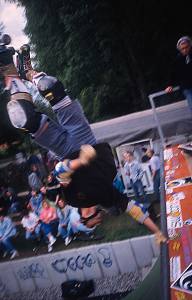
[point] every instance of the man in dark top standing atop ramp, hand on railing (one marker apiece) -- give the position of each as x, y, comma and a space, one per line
182, 69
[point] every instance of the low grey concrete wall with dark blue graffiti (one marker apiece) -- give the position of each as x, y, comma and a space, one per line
93, 262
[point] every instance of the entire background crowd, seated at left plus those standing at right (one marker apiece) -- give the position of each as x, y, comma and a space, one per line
44, 215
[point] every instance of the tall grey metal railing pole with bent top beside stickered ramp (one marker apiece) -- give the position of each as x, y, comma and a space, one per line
164, 254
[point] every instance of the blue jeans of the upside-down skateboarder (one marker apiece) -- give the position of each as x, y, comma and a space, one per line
67, 137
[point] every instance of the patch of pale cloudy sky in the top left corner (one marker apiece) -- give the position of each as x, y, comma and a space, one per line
13, 18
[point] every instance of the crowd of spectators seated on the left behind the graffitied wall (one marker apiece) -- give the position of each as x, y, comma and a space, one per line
43, 215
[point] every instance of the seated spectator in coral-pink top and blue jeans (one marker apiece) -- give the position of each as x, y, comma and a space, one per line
49, 219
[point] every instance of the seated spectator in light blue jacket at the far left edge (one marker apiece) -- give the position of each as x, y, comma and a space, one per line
7, 232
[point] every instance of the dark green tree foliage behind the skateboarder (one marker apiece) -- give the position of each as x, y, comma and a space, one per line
110, 54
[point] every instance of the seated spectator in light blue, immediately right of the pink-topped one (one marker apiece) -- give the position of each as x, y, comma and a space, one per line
63, 212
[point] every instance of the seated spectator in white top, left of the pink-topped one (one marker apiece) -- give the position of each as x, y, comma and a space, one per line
30, 222
